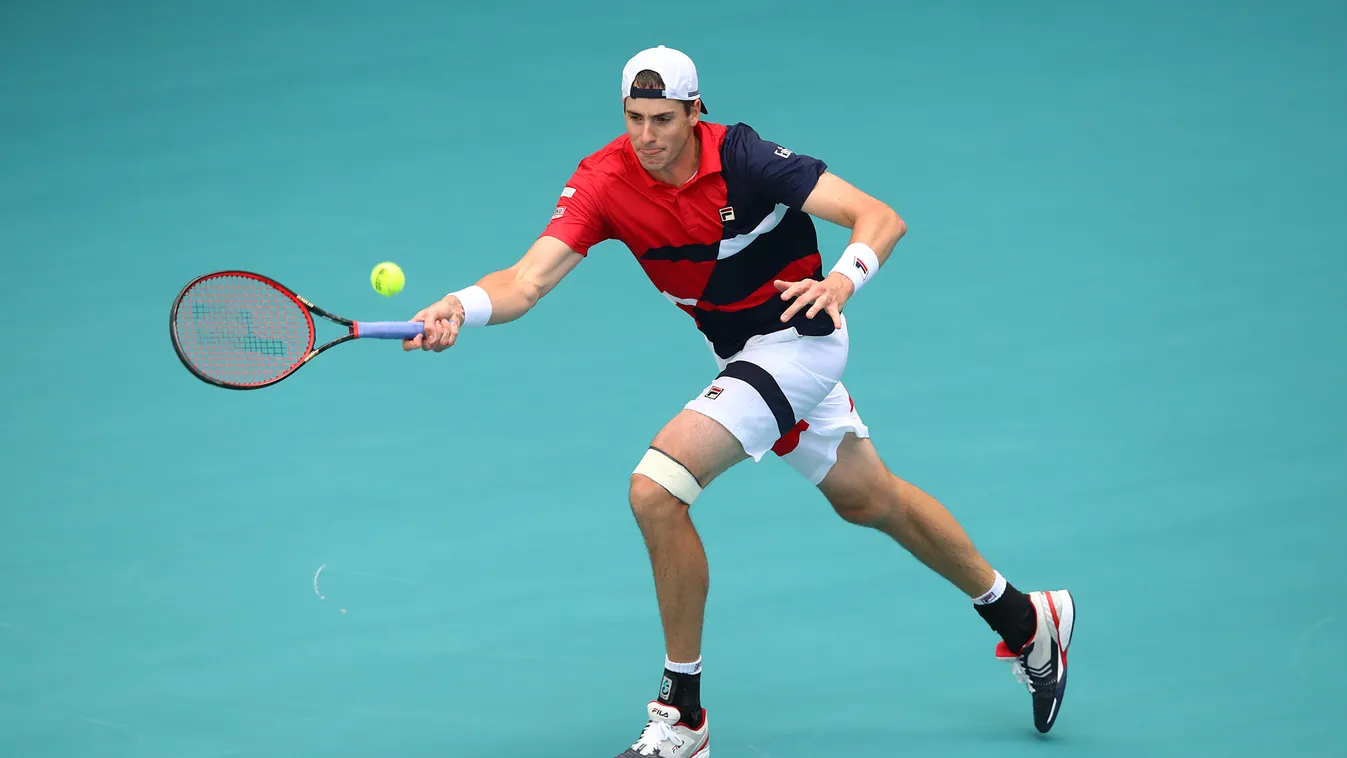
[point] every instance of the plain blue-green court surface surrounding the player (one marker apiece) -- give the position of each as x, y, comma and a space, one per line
1112, 343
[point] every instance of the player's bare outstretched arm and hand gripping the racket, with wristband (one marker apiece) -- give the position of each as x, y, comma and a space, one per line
500, 297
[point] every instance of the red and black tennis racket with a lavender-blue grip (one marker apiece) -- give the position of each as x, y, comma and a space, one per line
243, 331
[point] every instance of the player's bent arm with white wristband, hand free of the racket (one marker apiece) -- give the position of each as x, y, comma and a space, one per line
876, 230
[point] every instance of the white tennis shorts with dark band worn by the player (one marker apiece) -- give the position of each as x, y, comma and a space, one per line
783, 394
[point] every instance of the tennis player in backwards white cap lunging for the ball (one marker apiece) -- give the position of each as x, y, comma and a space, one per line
720, 220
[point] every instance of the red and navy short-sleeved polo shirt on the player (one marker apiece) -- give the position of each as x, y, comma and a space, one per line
713, 246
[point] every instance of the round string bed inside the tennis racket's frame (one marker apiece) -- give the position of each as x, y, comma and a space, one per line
242, 331
